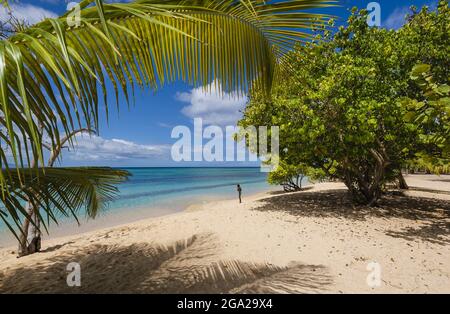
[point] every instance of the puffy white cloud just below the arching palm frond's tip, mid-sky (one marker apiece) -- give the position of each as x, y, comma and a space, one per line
212, 106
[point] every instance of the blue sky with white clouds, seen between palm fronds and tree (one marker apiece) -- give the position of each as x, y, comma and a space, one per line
141, 136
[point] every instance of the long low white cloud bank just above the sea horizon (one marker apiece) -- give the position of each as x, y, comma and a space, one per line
96, 148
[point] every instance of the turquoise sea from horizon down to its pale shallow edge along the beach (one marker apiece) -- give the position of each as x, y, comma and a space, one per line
151, 192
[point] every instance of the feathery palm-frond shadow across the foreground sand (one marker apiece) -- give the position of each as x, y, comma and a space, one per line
185, 267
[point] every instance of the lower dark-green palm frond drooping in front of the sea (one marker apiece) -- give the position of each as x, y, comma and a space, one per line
58, 191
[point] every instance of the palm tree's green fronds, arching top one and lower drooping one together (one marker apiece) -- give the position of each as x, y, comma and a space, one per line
53, 76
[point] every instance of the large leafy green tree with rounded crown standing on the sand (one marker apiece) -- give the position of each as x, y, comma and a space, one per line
342, 111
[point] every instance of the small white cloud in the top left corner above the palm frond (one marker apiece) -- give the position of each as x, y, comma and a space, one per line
28, 12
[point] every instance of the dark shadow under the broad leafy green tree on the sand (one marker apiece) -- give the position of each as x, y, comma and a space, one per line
433, 213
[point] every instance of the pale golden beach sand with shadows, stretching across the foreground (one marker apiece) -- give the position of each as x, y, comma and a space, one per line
312, 241
